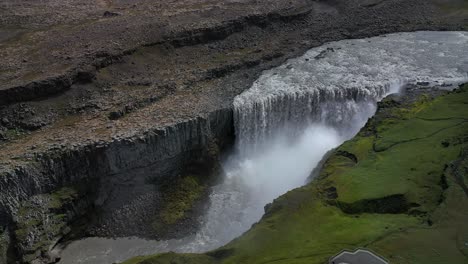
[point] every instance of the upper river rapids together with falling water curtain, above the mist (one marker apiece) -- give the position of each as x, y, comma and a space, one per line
338, 84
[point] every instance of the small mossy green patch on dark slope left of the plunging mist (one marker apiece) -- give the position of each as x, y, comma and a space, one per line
179, 199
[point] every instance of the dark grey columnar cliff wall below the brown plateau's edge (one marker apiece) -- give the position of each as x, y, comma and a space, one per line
119, 180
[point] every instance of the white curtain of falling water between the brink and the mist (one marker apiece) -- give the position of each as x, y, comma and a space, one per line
259, 121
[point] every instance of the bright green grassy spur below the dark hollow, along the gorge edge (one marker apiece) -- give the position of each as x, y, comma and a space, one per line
305, 230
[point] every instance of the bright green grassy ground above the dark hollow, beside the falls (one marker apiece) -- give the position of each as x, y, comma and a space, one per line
414, 145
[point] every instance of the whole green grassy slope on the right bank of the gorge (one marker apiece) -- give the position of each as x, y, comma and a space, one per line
411, 152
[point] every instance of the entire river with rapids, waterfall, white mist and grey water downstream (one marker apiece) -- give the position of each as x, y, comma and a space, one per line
287, 121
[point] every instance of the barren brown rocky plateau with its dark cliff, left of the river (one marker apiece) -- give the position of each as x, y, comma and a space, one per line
103, 103
